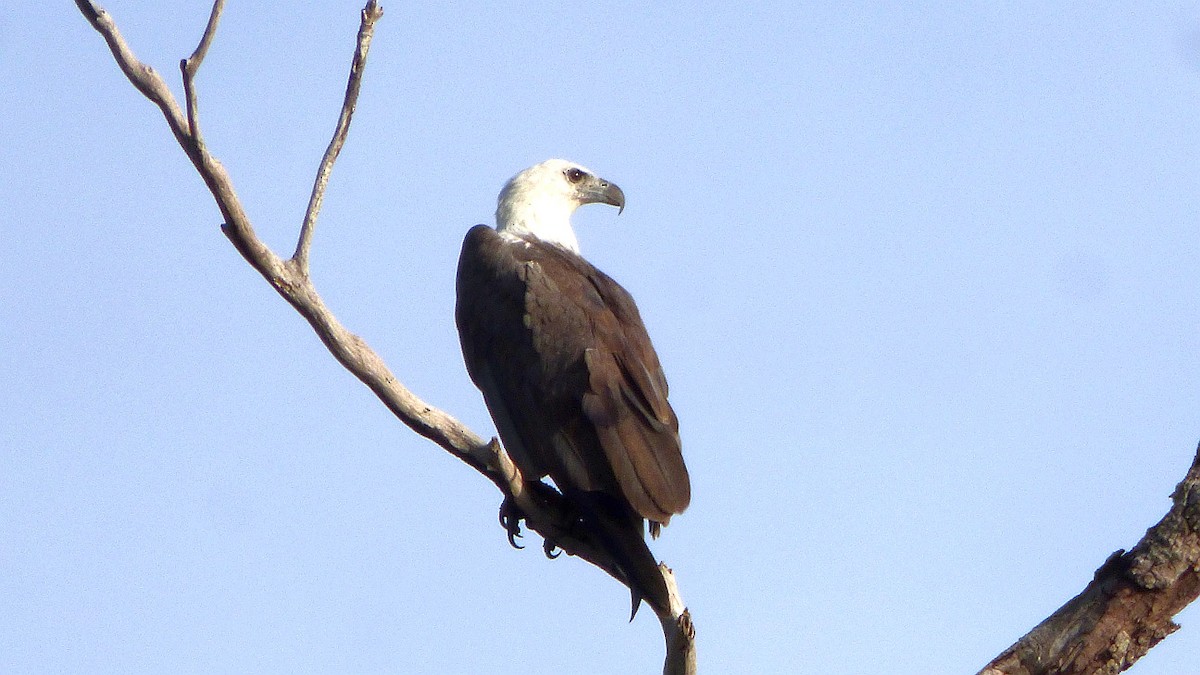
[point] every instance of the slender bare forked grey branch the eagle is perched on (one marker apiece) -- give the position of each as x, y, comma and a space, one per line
543, 507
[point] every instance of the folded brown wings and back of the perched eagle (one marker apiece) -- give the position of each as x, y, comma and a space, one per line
569, 374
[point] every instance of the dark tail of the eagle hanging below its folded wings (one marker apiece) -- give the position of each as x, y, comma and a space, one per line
622, 534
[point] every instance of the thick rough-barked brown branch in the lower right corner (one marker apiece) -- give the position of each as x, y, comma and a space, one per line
1129, 607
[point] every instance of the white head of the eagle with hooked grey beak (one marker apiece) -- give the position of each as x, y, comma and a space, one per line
539, 202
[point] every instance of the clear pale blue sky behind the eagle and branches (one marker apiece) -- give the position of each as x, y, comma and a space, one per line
923, 279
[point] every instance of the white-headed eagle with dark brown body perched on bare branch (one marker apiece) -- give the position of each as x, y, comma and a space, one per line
568, 371
